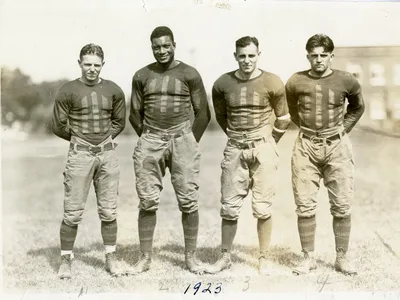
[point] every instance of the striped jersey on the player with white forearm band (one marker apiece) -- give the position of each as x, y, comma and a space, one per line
248, 104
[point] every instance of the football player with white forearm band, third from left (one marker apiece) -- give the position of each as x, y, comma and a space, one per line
245, 101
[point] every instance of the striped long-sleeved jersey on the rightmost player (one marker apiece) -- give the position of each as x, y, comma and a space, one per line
319, 103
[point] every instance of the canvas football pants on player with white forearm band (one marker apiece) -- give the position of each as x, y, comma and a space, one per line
250, 164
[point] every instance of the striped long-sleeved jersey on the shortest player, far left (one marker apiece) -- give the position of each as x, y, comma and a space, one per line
90, 112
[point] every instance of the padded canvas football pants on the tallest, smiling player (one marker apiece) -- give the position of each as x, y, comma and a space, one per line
176, 149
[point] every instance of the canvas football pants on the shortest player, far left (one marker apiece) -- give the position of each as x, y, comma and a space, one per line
84, 167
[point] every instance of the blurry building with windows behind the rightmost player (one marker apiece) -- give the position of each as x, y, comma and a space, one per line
378, 71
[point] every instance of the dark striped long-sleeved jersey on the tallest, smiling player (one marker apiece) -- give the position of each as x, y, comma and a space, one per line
163, 98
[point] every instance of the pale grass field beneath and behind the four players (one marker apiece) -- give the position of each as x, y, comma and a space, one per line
32, 206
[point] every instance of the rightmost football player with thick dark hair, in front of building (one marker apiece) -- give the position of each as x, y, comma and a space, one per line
316, 99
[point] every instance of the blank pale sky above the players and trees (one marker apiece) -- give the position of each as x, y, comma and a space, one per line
44, 37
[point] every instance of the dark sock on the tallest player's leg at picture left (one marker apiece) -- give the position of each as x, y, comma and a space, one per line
147, 224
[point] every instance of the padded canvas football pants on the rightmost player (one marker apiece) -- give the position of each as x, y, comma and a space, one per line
330, 160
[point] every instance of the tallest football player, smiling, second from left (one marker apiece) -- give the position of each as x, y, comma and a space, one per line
163, 95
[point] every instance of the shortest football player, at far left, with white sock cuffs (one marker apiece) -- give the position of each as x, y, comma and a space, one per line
89, 112
